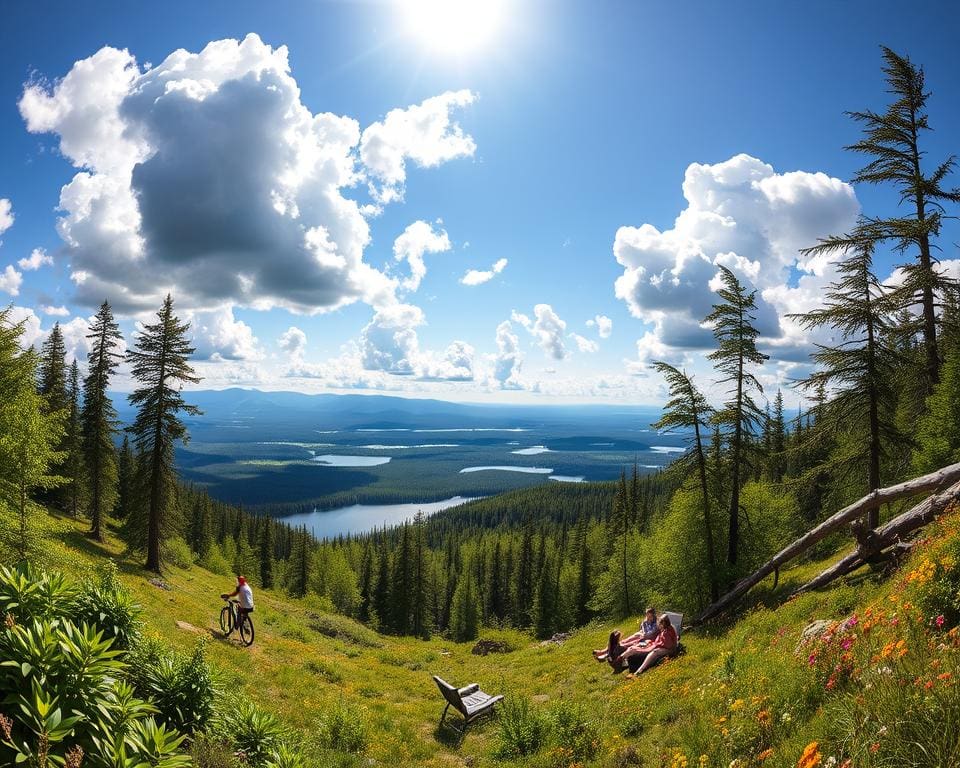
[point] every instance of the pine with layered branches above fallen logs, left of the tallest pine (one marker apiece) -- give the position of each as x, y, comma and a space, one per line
859, 368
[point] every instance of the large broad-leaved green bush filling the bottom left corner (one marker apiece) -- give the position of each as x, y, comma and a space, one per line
63, 686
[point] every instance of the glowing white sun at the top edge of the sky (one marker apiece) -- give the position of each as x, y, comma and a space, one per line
453, 26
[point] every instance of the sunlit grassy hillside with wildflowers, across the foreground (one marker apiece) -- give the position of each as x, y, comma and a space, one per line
877, 689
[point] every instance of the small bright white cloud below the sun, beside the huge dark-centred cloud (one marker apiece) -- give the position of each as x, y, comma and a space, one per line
423, 133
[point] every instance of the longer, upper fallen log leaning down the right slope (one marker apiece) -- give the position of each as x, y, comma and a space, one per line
934, 481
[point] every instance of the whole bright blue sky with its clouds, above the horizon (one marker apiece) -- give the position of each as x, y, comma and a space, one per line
560, 142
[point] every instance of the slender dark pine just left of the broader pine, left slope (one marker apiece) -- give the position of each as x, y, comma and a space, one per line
98, 418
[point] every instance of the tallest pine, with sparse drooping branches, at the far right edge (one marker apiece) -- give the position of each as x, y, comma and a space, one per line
893, 142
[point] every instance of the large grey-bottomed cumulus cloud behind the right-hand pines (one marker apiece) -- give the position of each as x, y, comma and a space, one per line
744, 215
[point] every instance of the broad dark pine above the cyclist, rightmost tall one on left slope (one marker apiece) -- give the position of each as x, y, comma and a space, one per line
160, 365
